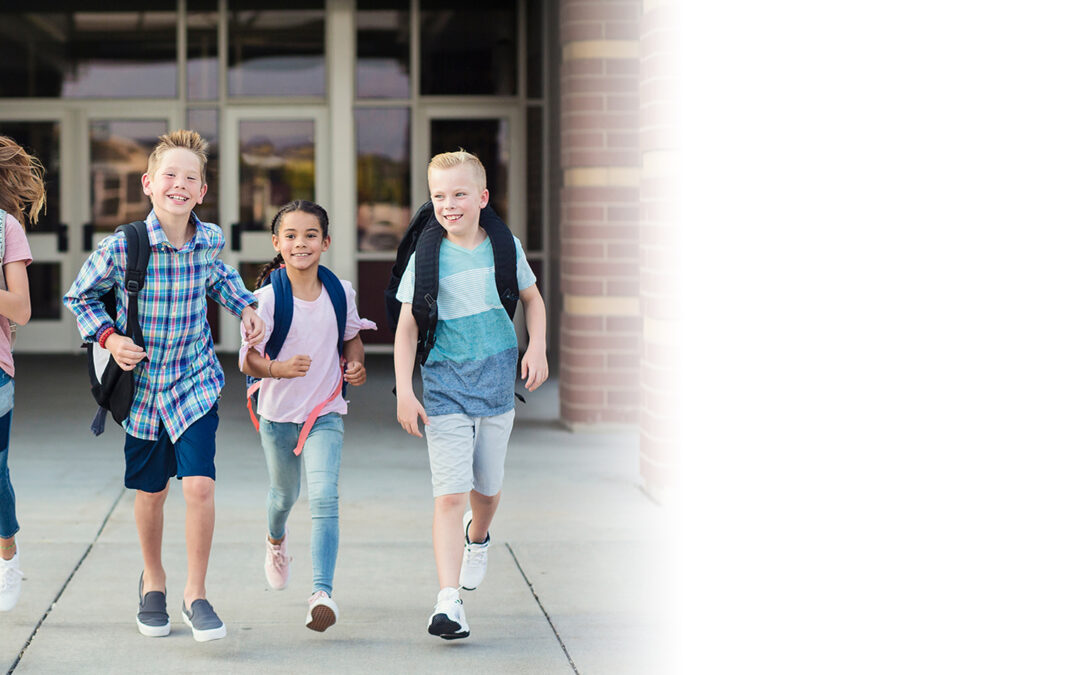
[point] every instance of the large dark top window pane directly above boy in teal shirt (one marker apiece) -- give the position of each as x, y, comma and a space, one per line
469, 51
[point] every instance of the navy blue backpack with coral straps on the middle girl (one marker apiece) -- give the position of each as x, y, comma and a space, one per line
282, 322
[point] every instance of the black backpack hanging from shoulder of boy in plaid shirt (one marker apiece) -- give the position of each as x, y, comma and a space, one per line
113, 387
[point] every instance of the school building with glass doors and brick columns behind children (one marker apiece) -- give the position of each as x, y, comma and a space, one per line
569, 104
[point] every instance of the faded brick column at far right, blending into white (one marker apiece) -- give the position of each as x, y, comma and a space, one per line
659, 246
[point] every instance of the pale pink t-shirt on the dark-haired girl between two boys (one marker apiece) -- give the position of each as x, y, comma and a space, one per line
314, 333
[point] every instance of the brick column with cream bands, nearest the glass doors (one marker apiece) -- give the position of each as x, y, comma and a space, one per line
601, 323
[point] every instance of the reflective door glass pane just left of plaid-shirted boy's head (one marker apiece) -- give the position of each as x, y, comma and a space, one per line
118, 154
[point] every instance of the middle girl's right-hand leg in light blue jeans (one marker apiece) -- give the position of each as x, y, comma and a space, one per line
322, 460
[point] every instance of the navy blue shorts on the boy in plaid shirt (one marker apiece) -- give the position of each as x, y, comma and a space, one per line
150, 465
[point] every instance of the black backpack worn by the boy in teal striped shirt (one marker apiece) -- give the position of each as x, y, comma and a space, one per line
425, 236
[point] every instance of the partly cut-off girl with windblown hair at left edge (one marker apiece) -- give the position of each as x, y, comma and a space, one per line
22, 198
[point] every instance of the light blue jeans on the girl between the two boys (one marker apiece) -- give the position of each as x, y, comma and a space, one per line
322, 462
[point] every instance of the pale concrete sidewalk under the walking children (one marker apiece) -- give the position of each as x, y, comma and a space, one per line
573, 578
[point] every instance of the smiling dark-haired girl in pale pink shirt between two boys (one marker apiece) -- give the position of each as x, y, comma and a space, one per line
305, 375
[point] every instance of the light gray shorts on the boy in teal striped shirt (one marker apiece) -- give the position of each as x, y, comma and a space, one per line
468, 453
